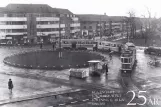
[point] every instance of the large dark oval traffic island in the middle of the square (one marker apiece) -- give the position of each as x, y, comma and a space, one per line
51, 60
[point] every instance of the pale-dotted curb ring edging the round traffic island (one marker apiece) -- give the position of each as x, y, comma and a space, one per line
46, 67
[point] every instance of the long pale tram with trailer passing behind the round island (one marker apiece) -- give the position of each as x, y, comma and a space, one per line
89, 43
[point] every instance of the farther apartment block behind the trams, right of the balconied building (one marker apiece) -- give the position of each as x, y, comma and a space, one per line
101, 25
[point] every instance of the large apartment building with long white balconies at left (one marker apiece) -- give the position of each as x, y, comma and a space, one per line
33, 23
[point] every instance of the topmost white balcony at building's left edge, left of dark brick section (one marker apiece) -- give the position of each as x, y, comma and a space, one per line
13, 19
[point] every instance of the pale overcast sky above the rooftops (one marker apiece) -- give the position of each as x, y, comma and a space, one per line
110, 7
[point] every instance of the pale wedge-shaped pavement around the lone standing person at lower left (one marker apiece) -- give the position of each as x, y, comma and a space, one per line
26, 89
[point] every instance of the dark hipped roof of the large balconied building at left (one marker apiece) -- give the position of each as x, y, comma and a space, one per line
32, 8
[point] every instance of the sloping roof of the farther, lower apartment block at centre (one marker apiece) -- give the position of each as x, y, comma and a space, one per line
92, 17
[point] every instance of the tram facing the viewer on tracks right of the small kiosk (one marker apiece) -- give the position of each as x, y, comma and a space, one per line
128, 57
